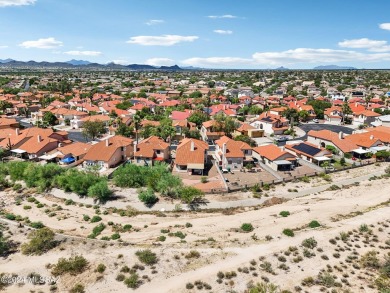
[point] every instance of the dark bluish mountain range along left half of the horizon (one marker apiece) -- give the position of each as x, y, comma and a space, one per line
82, 64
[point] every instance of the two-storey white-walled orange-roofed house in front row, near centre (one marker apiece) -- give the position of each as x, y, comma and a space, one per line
231, 154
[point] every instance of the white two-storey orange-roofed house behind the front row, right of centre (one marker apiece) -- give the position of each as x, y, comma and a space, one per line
271, 124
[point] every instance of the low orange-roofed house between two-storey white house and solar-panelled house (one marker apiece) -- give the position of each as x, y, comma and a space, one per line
274, 157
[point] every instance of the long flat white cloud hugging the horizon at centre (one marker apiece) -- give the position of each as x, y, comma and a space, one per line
220, 62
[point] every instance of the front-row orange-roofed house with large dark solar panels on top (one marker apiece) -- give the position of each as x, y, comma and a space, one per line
309, 152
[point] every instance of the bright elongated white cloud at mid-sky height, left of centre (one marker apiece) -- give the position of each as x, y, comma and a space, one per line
164, 40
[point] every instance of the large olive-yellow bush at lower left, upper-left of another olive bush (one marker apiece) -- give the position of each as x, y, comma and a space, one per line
41, 241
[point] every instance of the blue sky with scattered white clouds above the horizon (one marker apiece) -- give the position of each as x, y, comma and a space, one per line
205, 33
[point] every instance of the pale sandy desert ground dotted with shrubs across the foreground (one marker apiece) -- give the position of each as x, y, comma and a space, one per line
198, 250
